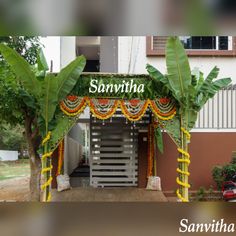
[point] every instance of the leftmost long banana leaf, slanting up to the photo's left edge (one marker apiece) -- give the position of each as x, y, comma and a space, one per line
22, 69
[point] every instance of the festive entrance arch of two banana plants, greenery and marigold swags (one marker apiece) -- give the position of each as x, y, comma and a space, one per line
174, 98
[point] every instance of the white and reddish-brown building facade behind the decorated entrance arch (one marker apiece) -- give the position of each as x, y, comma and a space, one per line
214, 136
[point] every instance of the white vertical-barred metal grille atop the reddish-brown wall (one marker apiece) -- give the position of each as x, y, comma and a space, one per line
219, 112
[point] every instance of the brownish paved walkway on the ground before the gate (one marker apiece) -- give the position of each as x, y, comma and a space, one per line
108, 195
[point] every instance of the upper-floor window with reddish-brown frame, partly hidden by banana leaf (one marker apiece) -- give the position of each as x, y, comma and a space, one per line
195, 45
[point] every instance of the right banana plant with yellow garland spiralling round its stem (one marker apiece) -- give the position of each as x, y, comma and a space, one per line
190, 91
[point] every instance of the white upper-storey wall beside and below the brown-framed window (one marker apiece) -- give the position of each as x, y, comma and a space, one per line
132, 59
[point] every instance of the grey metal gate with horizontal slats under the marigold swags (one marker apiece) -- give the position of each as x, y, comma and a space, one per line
113, 151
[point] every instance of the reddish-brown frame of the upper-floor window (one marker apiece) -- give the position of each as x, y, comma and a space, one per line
192, 52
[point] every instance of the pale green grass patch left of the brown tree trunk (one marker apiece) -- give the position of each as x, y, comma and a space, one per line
14, 169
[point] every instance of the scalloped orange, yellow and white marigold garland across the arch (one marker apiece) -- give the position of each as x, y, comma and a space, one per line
133, 110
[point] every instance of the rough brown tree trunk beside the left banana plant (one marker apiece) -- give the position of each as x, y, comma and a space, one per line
35, 161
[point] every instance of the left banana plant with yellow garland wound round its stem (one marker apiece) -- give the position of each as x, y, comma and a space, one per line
48, 90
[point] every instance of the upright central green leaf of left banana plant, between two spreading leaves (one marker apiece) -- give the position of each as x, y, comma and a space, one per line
48, 100
